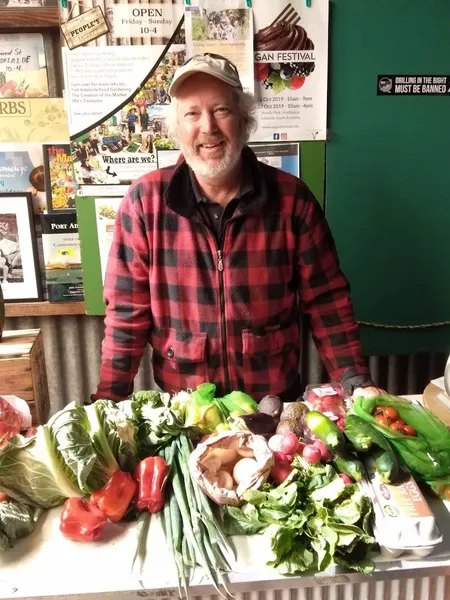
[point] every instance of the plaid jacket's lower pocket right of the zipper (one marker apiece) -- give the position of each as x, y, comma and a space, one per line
271, 360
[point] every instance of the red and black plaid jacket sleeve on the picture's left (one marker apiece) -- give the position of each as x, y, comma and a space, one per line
127, 298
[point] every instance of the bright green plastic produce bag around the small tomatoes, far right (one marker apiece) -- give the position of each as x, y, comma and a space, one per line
428, 453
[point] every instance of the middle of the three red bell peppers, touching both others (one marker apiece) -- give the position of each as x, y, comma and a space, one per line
115, 496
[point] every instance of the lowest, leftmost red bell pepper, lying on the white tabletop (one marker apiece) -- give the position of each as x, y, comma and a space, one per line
81, 521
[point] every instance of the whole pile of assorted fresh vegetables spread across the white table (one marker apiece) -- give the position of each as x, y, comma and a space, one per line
289, 473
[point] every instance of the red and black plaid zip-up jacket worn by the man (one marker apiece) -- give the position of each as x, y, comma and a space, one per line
227, 314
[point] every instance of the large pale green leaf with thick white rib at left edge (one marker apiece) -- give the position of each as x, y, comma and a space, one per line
32, 471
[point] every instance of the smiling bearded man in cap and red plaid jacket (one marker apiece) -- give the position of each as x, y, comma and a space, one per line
215, 259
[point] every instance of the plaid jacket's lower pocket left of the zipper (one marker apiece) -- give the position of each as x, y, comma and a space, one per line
179, 359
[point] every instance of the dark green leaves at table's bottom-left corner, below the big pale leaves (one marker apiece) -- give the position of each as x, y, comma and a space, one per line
16, 520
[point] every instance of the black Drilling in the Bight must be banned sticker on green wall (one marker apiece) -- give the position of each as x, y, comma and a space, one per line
413, 85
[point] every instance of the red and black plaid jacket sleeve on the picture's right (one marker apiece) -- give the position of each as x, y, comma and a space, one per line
325, 297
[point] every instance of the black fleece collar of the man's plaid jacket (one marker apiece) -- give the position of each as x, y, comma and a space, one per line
180, 197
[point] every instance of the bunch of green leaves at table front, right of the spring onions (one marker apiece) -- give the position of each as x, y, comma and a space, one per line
313, 520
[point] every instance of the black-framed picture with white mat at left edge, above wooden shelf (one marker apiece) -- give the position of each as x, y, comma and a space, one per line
19, 270
